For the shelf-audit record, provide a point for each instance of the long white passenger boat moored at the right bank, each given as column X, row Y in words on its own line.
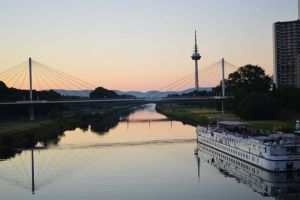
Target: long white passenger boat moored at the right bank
column 273, row 152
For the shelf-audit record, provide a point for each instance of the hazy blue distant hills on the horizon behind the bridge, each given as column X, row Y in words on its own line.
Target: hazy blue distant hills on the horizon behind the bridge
column 154, row 94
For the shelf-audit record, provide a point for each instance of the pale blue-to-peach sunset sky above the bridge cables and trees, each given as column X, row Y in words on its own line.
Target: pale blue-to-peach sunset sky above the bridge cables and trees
column 138, row 44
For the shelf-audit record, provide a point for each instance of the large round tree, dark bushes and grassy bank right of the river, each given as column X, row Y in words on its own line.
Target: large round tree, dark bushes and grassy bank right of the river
column 255, row 99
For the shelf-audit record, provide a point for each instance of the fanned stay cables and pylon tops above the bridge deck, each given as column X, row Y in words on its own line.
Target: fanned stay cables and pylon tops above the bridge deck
column 41, row 77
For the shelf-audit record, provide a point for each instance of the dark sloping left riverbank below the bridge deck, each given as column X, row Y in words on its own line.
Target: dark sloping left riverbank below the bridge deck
column 22, row 133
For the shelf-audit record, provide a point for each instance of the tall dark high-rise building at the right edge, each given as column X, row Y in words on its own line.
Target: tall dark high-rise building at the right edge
column 287, row 52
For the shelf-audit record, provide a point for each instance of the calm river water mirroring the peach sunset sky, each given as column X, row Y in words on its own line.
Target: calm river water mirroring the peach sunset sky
column 143, row 156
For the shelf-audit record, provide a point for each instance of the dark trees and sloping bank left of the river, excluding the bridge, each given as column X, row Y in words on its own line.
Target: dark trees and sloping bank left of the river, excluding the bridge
column 52, row 120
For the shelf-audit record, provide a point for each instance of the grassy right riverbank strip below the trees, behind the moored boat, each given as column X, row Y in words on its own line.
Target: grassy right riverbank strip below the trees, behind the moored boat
column 195, row 115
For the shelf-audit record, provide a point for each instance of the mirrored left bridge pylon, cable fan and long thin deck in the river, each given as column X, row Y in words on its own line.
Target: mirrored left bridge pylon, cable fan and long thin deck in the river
column 37, row 168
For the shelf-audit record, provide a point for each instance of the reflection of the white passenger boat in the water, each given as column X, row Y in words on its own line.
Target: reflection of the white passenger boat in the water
column 269, row 184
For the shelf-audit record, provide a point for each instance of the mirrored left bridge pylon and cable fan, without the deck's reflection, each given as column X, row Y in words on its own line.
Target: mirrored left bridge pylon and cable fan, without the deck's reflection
column 36, row 168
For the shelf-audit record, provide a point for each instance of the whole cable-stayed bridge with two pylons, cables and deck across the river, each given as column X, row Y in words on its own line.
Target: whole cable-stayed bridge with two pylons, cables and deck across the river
column 35, row 76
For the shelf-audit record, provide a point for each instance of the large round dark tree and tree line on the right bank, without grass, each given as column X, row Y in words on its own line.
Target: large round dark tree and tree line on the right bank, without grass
column 254, row 95
